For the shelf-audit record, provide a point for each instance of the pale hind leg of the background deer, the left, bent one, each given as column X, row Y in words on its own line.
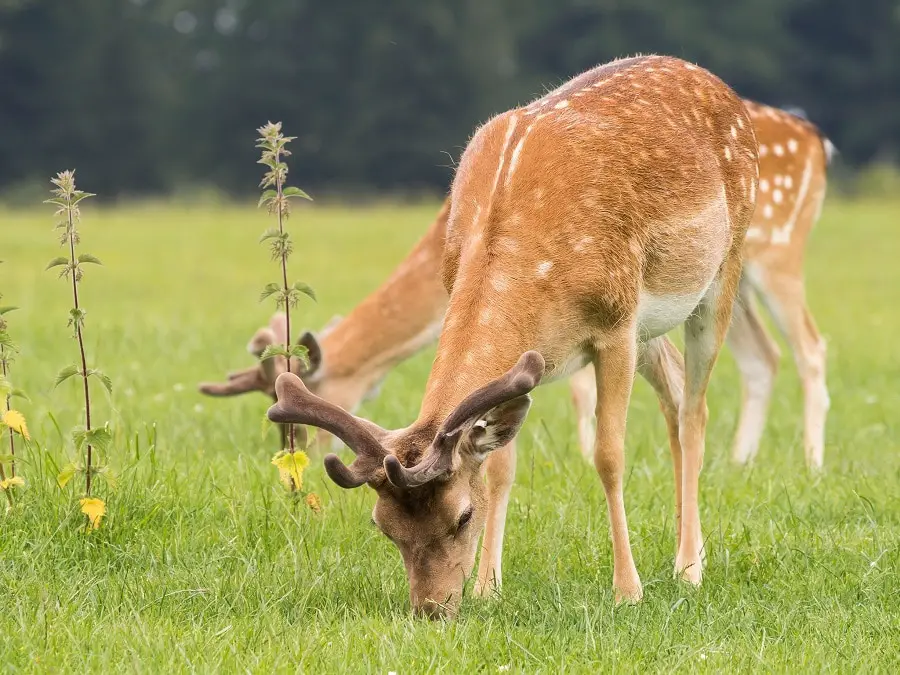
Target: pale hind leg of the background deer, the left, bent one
column 757, row 357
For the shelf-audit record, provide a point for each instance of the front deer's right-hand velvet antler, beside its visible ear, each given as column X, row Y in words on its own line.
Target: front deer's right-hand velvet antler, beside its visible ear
column 438, row 459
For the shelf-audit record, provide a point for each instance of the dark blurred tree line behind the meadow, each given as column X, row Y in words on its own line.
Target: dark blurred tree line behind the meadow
column 144, row 96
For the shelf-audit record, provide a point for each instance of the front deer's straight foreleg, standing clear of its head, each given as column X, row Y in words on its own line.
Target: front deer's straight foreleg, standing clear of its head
column 615, row 368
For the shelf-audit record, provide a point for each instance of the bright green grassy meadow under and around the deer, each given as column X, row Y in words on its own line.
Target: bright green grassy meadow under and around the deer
column 204, row 566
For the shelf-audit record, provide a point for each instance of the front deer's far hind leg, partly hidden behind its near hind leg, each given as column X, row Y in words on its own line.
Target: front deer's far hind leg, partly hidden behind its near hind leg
column 661, row 364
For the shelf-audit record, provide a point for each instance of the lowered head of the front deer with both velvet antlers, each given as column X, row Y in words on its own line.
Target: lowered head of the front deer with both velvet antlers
column 431, row 496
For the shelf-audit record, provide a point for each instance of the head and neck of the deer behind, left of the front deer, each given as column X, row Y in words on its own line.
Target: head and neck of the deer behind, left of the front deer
column 352, row 355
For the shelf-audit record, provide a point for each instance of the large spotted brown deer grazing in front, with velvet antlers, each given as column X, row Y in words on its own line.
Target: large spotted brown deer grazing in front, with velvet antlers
column 583, row 228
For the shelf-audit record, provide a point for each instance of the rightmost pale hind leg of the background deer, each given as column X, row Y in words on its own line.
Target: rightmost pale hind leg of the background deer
column 786, row 299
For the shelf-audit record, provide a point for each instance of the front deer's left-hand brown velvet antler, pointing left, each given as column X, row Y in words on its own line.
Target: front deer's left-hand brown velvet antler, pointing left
column 296, row 405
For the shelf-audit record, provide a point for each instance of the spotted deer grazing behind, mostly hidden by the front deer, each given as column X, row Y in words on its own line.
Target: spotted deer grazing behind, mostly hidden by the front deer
column 404, row 314
